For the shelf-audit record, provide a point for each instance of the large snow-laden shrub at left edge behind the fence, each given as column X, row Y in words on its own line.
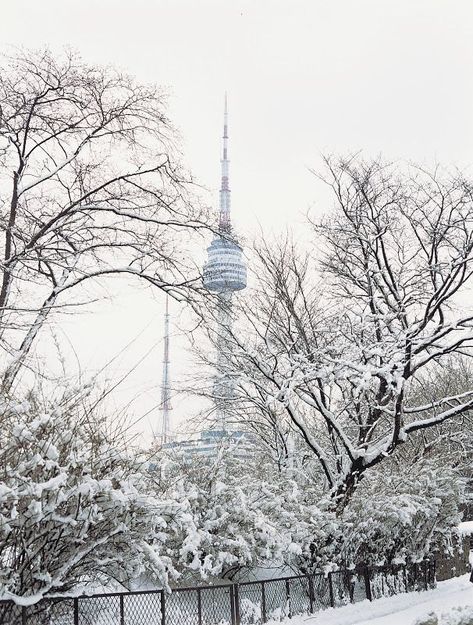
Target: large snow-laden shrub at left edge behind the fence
column 74, row 506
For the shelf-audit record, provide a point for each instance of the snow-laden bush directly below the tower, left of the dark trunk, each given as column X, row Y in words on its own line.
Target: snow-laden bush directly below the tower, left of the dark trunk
column 230, row 517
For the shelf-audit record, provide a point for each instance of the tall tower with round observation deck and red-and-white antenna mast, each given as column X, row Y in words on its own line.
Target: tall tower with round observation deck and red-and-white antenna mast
column 224, row 273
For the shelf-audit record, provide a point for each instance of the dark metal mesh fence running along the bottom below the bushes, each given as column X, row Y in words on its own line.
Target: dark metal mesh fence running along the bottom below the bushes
column 246, row 603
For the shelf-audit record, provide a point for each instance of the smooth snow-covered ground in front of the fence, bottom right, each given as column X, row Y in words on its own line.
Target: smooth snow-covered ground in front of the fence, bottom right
column 402, row 609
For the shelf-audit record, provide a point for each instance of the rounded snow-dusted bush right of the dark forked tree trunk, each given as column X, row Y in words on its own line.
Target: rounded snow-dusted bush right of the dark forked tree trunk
column 403, row 516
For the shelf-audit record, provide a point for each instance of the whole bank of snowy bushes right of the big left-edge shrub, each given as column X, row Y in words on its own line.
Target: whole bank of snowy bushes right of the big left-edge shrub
column 238, row 515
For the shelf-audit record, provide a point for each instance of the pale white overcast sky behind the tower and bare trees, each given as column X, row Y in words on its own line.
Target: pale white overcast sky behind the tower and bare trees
column 304, row 78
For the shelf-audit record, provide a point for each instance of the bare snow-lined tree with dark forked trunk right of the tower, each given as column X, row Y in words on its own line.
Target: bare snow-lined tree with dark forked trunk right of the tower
column 337, row 340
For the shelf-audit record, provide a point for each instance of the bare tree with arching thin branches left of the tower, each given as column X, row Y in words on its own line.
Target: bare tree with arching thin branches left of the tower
column 90, row 185
